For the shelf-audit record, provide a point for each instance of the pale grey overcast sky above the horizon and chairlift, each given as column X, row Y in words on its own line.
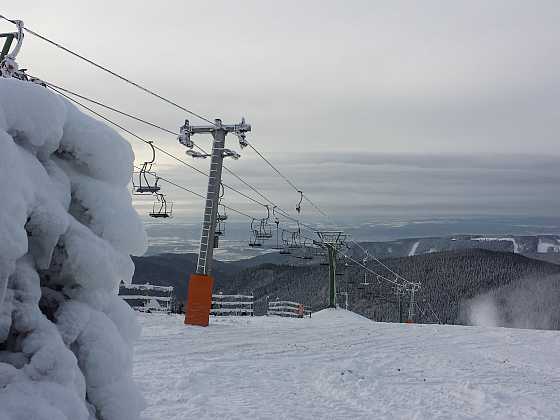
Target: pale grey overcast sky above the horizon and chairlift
column 373, row 108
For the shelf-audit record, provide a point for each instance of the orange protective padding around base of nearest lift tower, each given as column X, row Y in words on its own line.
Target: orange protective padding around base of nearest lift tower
column 199, row 301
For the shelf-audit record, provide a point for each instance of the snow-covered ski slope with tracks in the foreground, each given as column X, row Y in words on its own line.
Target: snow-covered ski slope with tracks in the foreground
column 338, row 365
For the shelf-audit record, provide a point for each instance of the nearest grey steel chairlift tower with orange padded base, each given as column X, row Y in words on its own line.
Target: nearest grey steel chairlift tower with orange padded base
column 201, row 283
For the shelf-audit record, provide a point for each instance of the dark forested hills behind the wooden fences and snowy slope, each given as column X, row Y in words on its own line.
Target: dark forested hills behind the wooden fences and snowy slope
column 450, row 280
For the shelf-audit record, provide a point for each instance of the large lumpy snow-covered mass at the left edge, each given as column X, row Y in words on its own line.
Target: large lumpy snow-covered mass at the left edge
column 67, row 229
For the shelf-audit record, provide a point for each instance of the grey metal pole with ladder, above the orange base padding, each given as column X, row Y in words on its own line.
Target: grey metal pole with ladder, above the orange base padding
column 206, row 252
